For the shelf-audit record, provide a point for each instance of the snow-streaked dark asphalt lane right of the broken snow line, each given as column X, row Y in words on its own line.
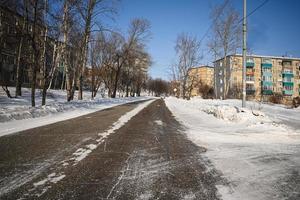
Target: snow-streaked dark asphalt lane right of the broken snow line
column 148, row 158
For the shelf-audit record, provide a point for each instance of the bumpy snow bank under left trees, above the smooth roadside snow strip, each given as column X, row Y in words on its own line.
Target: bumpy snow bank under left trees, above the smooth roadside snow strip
column 19, row 108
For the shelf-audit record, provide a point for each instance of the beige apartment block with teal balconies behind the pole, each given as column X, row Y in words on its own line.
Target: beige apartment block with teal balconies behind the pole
column 265, row 76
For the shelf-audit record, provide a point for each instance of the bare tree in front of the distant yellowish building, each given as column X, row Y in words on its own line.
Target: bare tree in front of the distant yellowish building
column 188, row 55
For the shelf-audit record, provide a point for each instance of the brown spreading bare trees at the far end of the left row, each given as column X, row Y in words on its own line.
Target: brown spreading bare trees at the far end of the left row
column 121, row 62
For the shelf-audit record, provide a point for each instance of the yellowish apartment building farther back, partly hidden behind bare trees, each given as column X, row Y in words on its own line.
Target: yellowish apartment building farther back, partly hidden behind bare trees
column 199, row 76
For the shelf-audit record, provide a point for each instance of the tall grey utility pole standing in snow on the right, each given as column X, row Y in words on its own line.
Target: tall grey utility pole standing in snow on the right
column 244, row 52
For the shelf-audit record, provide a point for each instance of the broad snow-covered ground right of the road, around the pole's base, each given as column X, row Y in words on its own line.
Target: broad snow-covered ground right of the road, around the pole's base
column 256, row 149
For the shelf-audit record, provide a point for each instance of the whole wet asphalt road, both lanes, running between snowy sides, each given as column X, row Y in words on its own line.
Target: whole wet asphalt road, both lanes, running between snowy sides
column 147, row 158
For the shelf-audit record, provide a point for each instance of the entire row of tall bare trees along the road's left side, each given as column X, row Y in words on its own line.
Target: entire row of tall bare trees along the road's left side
column 71, row 34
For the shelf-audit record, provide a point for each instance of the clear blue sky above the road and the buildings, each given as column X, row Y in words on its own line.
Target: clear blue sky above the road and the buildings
column 273, row 30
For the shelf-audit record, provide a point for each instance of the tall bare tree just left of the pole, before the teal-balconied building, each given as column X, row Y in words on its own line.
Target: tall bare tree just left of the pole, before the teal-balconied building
column 226, row 36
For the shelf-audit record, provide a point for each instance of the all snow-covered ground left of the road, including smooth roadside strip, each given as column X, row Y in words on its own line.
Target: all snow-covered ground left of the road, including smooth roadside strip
column 16, row 114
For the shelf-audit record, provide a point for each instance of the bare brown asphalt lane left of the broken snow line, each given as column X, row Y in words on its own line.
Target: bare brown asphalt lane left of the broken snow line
column 29, row 154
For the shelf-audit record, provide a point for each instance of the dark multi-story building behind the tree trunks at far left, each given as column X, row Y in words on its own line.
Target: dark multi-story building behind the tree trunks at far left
column 16, row 50
